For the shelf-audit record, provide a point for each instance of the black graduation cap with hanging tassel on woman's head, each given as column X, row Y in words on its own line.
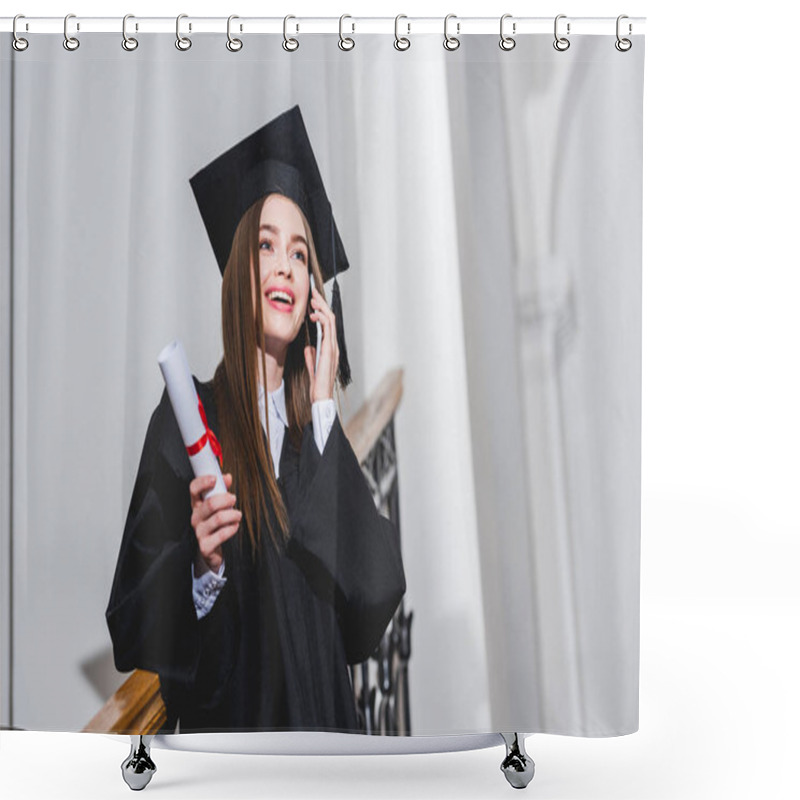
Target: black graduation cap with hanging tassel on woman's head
column 277, row 158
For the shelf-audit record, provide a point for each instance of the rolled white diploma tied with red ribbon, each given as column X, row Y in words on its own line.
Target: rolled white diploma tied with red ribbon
column 183, row 396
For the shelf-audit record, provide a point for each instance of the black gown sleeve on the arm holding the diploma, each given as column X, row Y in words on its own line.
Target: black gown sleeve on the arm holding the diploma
column 151, row 615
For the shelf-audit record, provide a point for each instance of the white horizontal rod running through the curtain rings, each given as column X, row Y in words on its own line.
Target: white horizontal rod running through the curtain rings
column 460, row 26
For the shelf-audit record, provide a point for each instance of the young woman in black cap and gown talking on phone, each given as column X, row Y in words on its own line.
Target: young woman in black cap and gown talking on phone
column 250, row 604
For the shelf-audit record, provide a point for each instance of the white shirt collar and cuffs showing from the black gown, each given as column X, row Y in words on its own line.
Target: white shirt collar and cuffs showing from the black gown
column 207, row 587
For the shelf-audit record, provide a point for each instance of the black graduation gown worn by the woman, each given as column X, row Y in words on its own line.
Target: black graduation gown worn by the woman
column 272, row 653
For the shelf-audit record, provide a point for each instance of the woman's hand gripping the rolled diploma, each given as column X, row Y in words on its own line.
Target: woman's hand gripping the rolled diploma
column 214, row 519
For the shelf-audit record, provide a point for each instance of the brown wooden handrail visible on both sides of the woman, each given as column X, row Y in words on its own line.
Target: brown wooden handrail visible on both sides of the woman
column 137, row 706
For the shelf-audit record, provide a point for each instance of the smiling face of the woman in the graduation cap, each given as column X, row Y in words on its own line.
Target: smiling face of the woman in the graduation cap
column 283, row 255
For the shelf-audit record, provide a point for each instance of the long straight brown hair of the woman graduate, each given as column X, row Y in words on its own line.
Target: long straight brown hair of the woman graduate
column 246, row 451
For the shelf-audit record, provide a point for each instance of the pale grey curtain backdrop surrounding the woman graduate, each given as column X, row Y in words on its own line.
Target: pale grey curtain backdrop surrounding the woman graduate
column 489, row 202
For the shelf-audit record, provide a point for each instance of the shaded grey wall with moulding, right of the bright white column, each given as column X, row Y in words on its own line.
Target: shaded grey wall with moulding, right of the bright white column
column 554, row 165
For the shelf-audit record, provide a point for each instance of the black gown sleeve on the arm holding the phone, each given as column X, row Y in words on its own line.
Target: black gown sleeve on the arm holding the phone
column 347, row 549
